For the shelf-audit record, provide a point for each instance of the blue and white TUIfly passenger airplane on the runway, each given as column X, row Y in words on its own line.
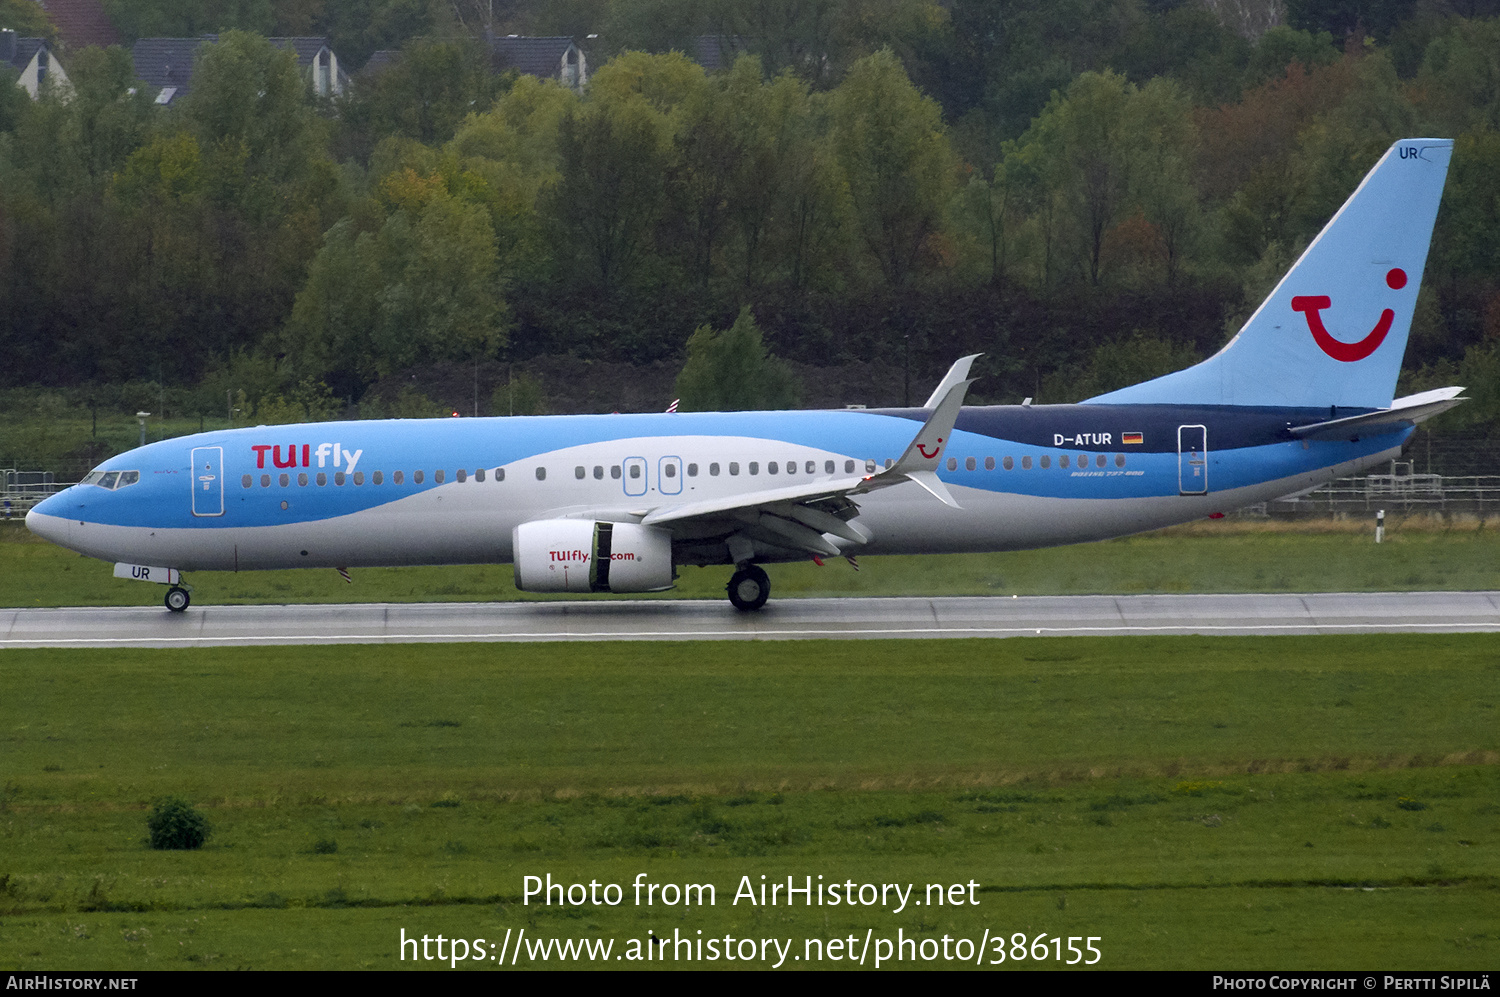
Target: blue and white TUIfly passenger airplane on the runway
column 1303, row 395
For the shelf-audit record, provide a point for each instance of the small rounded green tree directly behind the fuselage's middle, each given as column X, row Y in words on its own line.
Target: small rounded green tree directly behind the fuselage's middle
column 734, row 371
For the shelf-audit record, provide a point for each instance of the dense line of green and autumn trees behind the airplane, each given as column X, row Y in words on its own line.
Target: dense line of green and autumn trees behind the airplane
column 1087, row 206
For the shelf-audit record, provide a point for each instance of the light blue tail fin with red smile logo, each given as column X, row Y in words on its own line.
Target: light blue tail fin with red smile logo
column 1336, row 328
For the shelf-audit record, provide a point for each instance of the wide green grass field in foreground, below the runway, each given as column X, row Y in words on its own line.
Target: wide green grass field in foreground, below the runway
column 1192, row 803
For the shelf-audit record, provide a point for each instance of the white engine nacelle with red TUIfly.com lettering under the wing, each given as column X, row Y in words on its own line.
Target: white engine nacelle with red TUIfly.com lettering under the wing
column 581, row 555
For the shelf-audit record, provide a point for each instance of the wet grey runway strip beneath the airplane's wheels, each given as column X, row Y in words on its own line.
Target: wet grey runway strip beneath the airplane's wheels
column 784, row 620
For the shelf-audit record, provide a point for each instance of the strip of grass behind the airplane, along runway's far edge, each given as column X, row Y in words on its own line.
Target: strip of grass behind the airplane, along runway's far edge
column 1211, row 557
